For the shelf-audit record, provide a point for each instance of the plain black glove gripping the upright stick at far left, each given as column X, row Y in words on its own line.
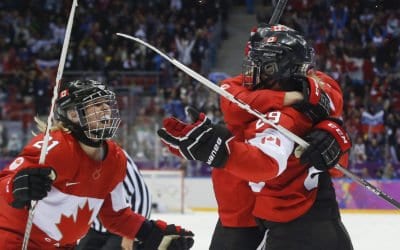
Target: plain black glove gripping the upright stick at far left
column 31, row 184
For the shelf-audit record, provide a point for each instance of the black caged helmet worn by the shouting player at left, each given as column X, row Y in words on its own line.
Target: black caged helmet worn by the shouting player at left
column 96, row 108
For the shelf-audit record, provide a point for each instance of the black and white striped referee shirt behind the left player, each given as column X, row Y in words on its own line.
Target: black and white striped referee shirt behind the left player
column 136, row 193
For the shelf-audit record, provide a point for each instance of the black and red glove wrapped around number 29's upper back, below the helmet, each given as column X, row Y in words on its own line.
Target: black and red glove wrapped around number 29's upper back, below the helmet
column 316, row 104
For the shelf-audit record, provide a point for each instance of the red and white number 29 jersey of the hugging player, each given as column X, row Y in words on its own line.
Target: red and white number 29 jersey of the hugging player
column 278, row 184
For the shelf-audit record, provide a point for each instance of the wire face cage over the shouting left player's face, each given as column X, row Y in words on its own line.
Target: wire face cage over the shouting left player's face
column 99, row 117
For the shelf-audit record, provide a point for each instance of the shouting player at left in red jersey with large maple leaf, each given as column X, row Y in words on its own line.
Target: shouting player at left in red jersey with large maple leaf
column 90, row 169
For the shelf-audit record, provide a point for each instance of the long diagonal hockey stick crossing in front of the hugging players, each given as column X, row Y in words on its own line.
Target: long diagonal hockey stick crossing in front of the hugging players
column 261, row 116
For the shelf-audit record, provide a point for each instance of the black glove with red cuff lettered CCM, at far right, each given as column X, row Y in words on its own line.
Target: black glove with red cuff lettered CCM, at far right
column 328, row 142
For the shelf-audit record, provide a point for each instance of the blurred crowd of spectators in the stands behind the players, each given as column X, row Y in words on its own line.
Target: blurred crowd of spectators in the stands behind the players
column 356, row 42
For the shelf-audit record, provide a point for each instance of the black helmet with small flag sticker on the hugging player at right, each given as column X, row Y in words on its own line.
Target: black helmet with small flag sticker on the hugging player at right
column 276, row 53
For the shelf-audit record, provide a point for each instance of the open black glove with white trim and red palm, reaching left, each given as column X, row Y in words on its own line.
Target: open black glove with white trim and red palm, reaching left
column 200, row 140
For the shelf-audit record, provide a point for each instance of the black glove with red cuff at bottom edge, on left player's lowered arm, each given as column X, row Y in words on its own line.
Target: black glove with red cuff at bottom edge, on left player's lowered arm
column 157, row 235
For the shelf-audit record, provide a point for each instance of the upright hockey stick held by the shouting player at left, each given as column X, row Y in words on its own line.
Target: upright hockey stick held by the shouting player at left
column 43, row 150
